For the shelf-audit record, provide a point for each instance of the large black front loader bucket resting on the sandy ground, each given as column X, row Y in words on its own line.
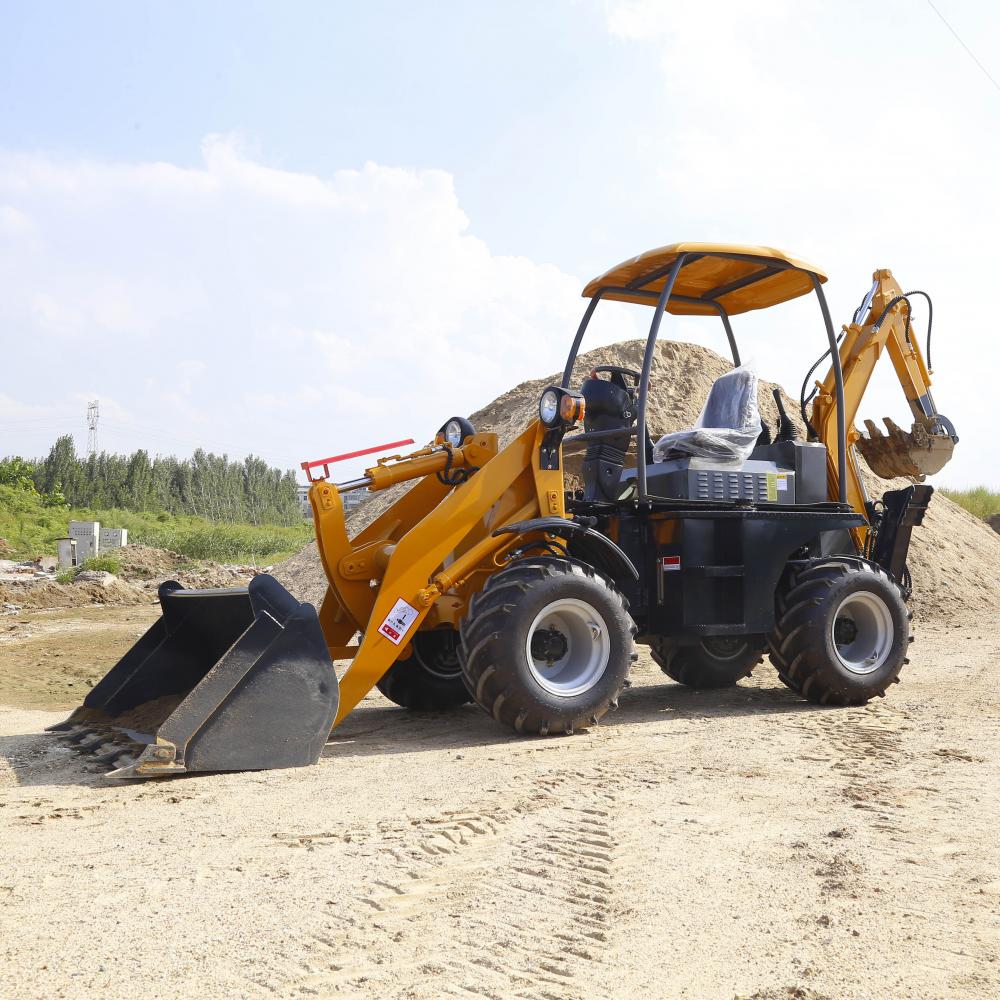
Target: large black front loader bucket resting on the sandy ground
column 226, row 680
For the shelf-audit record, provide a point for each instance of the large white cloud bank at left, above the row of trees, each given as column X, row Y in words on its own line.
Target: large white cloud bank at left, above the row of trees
column 256, row 309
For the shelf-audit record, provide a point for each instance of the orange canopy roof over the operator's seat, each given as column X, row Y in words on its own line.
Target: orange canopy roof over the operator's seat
column 737, row 277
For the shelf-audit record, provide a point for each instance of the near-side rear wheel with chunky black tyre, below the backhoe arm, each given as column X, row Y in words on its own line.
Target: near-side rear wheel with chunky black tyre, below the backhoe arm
column 843, row 633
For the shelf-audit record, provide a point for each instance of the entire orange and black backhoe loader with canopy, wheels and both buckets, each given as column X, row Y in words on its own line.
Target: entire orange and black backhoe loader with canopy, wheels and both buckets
column 490, row 581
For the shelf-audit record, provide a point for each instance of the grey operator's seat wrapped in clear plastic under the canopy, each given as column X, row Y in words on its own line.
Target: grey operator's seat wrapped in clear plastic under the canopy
column 727, row 428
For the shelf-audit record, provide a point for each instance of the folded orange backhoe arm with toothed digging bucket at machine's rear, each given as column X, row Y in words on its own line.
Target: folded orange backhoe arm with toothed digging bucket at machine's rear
column 923, row 451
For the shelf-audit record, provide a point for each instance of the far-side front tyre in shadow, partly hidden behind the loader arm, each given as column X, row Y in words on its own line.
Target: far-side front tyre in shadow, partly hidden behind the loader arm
column 430, row 680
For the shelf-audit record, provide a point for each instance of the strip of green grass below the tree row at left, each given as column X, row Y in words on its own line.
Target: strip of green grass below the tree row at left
column 31, row 529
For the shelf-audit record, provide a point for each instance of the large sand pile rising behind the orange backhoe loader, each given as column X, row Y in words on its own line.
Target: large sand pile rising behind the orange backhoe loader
column 953, row 556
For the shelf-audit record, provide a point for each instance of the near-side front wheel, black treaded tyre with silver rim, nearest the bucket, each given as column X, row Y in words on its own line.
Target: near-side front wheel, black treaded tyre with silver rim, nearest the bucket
column 547, row 646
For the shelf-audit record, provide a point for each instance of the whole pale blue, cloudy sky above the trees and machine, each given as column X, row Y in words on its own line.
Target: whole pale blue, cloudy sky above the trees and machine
column 301, row 228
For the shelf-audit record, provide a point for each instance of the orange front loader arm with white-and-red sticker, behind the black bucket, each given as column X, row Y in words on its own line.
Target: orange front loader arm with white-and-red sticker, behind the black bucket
column 416, row 559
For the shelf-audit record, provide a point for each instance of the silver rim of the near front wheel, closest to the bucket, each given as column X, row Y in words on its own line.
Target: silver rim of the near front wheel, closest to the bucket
column 568, row 647
